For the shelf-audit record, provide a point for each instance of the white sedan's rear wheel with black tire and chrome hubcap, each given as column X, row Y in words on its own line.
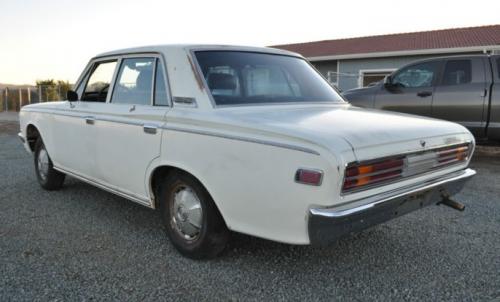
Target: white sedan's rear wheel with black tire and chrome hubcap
column 191, row 219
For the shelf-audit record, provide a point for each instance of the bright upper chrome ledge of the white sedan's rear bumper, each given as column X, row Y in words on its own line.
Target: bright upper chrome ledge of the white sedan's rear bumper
column 400, row 192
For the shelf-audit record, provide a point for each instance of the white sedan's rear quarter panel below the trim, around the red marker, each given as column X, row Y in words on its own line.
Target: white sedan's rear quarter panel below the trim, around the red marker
column 253, row 184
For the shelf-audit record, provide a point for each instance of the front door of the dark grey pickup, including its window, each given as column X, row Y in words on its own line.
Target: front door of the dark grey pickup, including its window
column 411, row 89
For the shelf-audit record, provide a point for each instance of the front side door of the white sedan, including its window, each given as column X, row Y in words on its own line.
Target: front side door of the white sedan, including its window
column 74, row 134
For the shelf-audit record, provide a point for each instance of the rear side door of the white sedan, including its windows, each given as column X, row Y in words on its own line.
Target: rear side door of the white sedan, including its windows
column 128, row 128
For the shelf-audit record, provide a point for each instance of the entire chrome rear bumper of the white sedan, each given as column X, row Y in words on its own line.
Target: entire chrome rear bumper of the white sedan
column 328, row 224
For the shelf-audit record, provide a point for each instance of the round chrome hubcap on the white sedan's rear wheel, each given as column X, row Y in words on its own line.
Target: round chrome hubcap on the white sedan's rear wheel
column 186, row 213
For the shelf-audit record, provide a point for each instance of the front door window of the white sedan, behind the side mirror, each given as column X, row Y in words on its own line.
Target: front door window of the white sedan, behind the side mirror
column 100, row 78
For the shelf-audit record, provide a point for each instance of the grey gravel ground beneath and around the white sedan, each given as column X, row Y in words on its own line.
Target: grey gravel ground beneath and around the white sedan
column 81, row 243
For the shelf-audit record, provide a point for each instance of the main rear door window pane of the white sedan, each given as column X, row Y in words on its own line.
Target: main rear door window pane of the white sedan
column 134, row 82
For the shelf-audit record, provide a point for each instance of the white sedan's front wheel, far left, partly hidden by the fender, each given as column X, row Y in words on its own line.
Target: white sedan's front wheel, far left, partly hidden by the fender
column 47, row 176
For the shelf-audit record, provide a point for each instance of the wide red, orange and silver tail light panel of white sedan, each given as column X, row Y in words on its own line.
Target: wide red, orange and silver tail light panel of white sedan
column 377, row 172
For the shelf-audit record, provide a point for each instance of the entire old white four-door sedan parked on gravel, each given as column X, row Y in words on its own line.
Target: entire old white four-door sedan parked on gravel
column 252, row 140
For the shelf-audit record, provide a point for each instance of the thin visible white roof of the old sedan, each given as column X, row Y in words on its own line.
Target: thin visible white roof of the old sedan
column 172, row 47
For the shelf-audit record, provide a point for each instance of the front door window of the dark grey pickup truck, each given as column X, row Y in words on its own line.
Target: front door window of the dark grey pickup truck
column 418, row 75
